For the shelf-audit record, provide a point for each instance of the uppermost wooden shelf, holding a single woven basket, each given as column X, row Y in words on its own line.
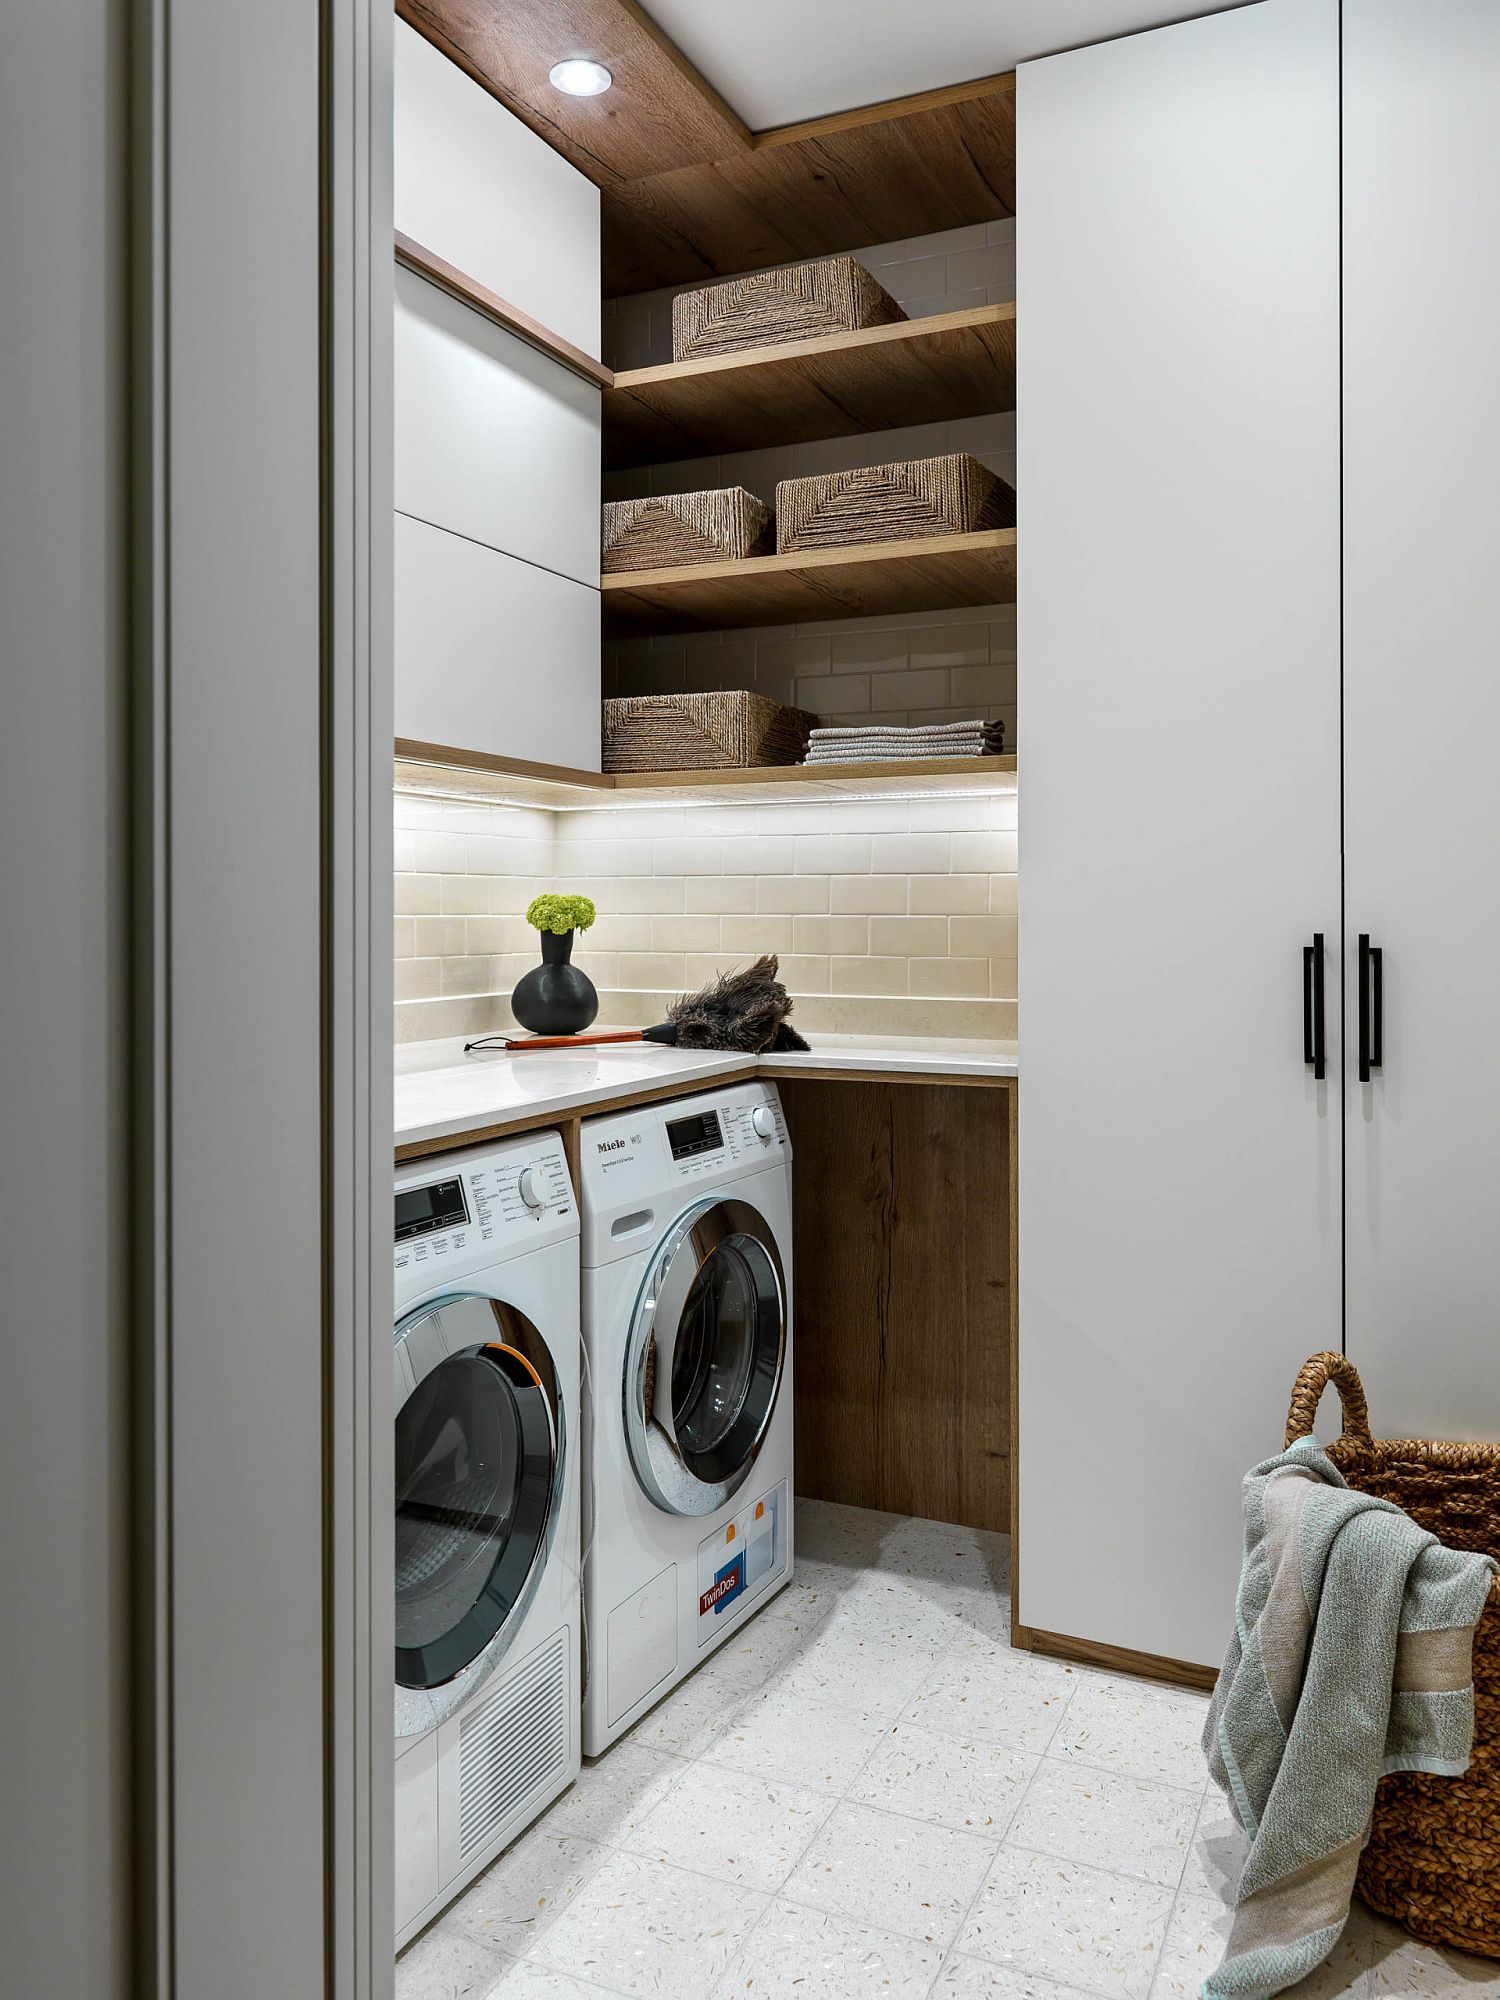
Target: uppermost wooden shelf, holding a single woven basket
column 927, row 371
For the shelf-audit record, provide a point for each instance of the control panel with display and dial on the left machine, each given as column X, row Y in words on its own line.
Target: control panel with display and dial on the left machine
column 479, row 1207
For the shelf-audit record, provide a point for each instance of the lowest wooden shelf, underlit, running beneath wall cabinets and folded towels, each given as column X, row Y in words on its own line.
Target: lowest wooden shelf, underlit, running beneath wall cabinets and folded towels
column 447, row 773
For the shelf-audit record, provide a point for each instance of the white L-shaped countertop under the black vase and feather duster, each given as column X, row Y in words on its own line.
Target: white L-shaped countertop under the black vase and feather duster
column 441, row 1093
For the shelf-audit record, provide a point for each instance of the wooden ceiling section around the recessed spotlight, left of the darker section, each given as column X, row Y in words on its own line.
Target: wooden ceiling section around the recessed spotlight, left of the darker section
column 661, row 115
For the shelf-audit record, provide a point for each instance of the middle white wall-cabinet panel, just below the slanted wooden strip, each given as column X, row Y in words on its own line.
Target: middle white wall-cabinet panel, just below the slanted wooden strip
column 493, row 439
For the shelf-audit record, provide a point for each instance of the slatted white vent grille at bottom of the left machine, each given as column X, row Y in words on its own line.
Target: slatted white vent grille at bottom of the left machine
column 513, row 1745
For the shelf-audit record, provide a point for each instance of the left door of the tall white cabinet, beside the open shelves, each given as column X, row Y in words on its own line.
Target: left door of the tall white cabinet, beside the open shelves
column 1179, row 641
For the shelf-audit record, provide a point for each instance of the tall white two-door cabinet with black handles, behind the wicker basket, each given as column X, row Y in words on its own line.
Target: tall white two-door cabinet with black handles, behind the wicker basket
column 1231, row 749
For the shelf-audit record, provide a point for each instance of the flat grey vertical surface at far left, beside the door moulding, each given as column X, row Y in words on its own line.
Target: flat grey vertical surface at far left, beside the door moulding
column 65, row 1173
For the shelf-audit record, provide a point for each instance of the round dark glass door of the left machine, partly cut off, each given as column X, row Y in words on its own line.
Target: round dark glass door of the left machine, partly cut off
column 479, row 1453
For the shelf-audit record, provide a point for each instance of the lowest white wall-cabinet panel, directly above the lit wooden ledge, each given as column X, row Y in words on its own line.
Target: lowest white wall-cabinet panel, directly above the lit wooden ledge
column 493, row 653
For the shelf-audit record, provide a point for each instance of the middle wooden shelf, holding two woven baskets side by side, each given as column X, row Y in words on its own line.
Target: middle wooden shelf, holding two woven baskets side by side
column 933, row 575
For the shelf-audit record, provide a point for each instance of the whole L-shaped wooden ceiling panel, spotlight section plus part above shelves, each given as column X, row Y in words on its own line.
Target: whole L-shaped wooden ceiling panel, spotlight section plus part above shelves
column 693, row 195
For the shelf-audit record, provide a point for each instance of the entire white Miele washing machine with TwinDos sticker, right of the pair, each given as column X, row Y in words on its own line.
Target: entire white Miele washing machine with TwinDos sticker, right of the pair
column 689, row 1339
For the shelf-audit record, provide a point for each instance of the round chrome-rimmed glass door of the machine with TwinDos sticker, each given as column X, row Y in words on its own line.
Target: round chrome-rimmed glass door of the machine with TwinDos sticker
column 705, row 1357
